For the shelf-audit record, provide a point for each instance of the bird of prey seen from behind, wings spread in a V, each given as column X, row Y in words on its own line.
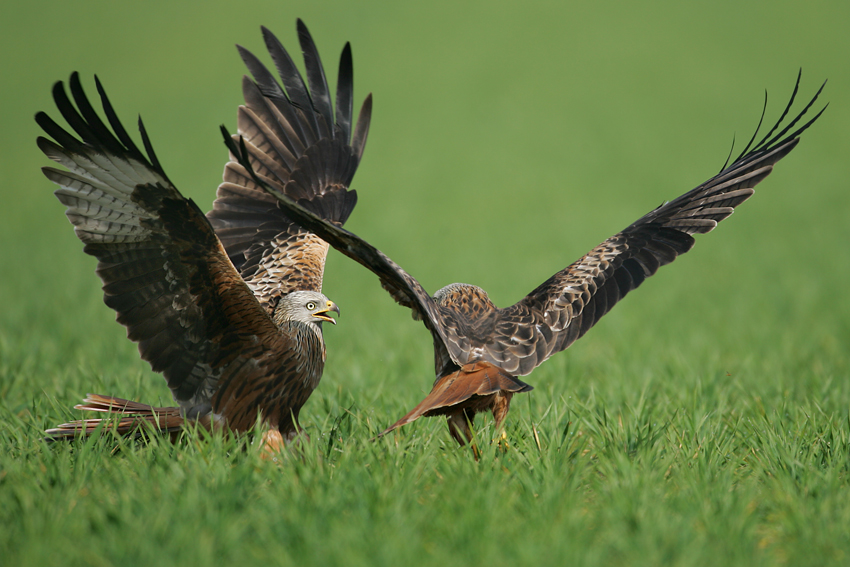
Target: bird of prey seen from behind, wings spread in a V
column 480, row 350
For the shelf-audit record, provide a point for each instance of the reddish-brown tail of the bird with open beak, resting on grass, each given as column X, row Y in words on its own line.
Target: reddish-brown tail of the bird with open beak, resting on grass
column 136, row 416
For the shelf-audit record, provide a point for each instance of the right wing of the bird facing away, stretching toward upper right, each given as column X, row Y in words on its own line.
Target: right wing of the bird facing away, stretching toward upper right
column 567, row 305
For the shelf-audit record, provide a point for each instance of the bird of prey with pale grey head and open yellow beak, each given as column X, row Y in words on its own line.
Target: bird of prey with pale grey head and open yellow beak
column 227, row 306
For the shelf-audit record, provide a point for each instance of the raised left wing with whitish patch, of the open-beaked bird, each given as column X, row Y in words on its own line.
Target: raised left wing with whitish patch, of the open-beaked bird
column 163, row 269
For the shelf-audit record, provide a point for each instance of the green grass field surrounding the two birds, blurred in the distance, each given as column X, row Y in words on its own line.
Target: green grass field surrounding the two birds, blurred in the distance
column 705, row 421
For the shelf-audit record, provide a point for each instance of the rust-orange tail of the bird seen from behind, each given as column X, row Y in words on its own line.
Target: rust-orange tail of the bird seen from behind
column 471, row 389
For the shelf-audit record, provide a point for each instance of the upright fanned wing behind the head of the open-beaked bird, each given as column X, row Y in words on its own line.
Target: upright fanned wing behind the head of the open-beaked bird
column 298, row 146
